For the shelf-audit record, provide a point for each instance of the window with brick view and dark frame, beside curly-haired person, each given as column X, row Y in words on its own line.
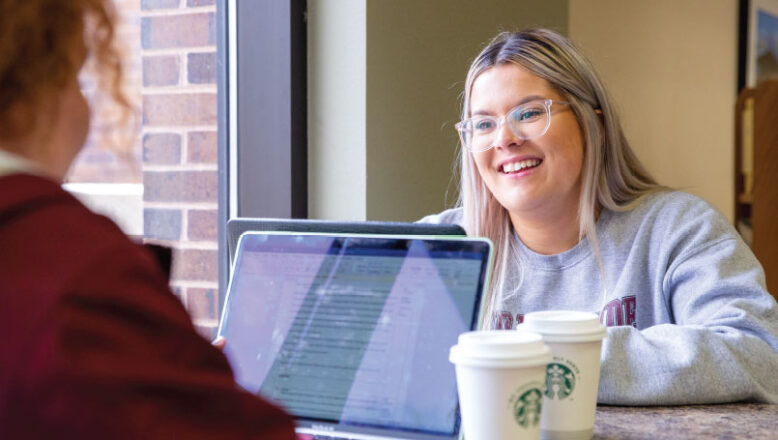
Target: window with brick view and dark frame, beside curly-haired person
column 216, row 138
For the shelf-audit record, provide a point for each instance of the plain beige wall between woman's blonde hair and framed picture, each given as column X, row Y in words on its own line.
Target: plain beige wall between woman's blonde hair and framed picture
column 672, row 68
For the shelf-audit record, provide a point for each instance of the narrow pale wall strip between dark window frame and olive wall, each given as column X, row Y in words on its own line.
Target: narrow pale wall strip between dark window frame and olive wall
column 336, row 109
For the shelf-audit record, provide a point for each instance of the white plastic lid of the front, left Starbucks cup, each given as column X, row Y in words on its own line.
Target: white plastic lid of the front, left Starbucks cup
column 500, row 348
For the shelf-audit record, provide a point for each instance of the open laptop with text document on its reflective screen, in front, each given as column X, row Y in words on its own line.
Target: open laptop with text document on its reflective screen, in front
column 350, row 333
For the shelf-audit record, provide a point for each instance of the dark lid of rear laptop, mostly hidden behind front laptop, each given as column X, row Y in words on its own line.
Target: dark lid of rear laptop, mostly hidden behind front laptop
column 237, row 226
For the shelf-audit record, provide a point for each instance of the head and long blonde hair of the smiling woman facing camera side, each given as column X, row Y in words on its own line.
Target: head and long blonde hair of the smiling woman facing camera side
column 543, row 65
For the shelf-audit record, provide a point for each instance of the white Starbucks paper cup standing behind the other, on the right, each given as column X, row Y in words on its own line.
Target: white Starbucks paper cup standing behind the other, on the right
column 573, row 376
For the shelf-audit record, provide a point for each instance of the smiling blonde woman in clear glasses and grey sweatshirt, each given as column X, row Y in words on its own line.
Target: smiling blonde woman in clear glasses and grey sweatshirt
column 578, row 223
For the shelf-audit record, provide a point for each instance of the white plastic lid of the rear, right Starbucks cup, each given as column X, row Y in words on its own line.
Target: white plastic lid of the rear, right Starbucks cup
column 572, row 326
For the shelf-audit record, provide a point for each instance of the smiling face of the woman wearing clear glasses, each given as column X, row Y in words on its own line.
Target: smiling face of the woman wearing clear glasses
column 540, row 175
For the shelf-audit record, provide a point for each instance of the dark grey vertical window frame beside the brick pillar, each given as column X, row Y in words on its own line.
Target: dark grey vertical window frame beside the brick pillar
column 262, row 108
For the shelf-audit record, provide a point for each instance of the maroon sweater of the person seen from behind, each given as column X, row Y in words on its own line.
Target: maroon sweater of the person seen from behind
column 92, row 342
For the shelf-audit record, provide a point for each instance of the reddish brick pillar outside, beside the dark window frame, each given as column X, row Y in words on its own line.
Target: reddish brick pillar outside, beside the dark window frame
column 178, row 141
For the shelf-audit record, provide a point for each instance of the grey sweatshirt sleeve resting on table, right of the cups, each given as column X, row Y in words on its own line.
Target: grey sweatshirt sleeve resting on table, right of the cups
column 721, row 344
